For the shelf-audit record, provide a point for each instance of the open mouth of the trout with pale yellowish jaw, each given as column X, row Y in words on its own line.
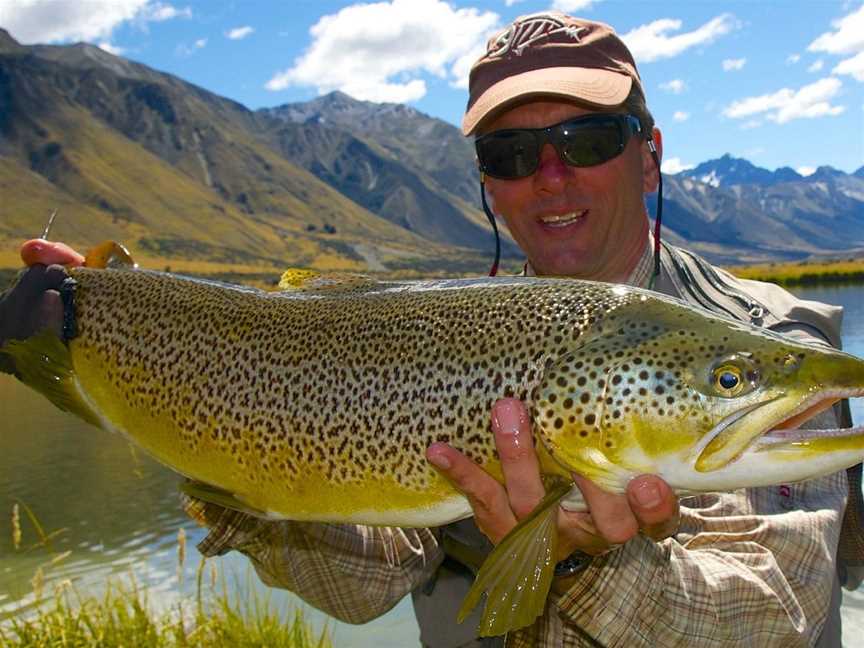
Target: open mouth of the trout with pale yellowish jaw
column 733, row 436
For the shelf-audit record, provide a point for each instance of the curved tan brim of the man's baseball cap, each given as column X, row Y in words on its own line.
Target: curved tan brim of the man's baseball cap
column 590, row 85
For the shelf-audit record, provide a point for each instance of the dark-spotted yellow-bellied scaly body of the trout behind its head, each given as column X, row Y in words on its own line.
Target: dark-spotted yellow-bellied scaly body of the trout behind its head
column 317, row 405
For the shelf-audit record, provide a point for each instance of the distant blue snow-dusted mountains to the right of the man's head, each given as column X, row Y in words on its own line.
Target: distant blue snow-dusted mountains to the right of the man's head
column 733, row 211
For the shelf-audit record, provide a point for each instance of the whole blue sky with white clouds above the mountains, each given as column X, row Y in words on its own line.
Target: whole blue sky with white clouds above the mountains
column 780, row 83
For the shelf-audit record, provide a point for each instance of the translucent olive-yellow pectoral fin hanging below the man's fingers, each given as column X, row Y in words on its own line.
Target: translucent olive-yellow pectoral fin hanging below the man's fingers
column 517, row 575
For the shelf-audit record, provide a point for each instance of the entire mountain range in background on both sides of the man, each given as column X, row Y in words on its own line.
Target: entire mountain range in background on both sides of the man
column 200, row 183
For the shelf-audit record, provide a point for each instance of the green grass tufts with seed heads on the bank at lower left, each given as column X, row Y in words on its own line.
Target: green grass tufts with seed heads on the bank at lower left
column 123, row 617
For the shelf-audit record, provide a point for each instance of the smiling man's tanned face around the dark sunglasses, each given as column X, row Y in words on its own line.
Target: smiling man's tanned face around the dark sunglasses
column 586, row 222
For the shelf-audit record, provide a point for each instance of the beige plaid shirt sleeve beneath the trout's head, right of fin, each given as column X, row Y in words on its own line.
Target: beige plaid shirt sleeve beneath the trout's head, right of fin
column 753, row 567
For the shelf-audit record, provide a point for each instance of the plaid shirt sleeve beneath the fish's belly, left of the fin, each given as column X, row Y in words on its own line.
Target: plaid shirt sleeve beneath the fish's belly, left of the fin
column 352, row 572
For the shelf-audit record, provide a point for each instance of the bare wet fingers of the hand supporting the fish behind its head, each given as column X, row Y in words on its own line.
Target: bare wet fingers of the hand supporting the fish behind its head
column 649, row 505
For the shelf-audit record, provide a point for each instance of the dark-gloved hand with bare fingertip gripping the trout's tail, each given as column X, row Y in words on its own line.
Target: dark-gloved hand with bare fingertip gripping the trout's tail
column 33, row 303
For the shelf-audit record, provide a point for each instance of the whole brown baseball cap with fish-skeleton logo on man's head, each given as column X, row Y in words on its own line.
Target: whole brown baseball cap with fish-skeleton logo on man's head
column 545, row 54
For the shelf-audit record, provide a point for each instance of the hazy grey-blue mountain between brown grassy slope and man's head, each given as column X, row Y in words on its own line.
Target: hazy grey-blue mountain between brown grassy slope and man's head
column 415, row 171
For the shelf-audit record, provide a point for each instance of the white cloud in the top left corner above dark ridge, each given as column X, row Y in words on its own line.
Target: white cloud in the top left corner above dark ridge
column 52, row 21
